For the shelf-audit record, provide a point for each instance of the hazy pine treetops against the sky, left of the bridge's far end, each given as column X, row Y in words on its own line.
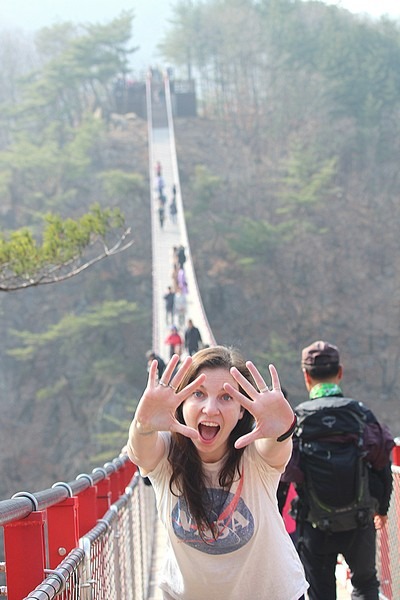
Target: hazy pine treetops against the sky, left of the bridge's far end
column 82, row 62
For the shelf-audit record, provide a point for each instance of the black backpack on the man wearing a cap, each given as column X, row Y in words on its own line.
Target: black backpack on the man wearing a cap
column 335, row 493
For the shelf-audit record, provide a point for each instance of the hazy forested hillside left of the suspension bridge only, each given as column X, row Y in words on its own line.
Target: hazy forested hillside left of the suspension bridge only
column 73, row 353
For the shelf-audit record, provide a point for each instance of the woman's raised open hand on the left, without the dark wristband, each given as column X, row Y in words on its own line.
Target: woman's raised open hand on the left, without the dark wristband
column 158, row 404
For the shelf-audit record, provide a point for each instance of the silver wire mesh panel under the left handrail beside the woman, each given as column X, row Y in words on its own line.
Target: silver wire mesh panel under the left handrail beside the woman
column 114, row 558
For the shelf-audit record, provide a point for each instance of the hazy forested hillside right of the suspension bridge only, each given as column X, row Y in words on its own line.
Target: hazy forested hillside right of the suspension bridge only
column 291, row 184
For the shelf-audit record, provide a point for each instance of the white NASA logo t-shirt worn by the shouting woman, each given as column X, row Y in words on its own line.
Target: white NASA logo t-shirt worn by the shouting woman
column 253, row 557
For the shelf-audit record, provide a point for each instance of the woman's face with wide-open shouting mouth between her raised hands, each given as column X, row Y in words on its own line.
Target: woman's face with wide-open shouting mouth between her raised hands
column 213, row 412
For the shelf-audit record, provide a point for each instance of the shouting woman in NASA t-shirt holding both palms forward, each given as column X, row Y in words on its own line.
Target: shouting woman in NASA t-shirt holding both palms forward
column 213, row 439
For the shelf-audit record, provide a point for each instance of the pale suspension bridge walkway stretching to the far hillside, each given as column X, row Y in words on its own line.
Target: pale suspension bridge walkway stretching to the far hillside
column 162, row 149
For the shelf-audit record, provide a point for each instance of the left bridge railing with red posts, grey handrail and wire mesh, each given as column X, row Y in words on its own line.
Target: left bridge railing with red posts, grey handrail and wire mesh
column 91, row 538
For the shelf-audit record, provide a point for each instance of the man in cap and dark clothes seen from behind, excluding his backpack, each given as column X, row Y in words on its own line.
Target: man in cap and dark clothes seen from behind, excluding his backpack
column 318, row 549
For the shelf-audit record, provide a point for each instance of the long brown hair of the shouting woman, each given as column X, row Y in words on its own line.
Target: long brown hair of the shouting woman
column 188, row 476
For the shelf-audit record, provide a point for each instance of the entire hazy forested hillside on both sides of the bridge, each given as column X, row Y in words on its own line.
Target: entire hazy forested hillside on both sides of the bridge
column 290, row 183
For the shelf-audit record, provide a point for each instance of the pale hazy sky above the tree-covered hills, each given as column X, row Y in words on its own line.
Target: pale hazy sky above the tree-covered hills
column 151, row 17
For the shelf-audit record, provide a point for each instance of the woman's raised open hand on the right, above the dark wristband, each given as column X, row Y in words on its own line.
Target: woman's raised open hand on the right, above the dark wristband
column 272, row 413
